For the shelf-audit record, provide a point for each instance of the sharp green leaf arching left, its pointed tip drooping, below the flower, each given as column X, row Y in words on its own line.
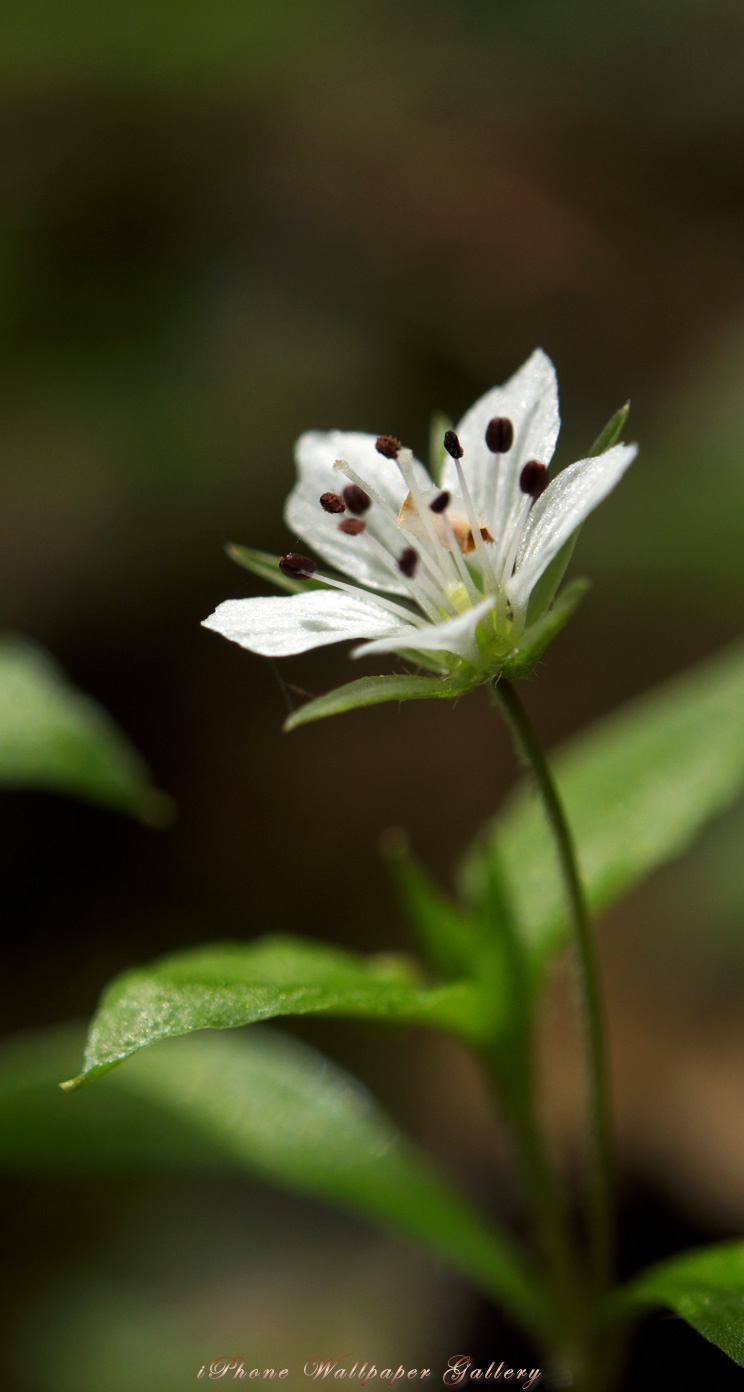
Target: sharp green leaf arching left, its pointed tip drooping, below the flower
column 231, row 985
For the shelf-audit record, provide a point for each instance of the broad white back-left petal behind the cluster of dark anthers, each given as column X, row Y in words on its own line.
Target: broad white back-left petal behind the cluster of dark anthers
column 357, row 556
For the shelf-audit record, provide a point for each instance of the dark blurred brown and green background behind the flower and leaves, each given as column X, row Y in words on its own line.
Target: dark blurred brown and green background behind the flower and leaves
column 221, row 226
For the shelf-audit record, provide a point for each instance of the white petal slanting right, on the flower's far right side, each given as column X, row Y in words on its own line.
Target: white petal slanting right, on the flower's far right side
column 561, row 510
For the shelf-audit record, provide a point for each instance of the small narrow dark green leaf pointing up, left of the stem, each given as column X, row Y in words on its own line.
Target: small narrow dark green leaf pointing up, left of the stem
column 448, row 935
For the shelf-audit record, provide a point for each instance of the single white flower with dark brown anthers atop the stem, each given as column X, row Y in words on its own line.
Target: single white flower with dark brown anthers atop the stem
column 442, row 573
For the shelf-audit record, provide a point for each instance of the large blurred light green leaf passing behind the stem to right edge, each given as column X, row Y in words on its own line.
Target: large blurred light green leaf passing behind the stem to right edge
column 637, row 790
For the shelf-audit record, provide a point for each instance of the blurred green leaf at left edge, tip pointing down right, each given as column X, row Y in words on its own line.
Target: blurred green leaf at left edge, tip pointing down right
column 56, row 738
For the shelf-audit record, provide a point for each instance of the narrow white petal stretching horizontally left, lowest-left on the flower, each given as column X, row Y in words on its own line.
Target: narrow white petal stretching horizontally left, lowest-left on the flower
column 279, row 626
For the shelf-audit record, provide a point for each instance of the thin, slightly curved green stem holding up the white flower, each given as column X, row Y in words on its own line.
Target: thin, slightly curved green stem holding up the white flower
column 600, row 1217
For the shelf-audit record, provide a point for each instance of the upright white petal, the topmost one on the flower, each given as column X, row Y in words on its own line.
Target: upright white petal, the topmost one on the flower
column 530, row 402
